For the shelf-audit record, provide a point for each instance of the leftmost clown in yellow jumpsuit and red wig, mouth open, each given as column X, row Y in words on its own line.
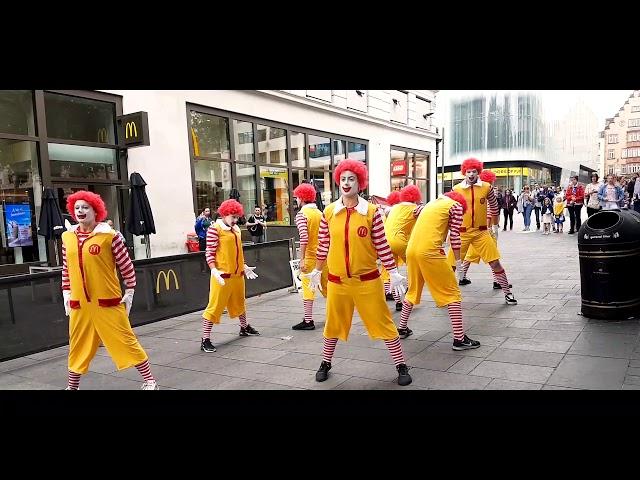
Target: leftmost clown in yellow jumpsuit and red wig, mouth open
column 93, row 300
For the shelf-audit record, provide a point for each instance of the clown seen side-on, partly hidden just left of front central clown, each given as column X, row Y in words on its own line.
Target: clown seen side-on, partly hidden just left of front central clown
column 308, row 223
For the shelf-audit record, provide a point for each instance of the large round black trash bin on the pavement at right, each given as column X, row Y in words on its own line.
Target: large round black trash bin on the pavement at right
column 609, row 247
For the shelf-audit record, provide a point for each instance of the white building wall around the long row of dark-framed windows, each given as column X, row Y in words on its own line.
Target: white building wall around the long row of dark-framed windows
column 165, row 164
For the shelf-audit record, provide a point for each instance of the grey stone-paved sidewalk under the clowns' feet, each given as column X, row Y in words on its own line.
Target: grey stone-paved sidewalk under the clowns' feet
column 542, row 343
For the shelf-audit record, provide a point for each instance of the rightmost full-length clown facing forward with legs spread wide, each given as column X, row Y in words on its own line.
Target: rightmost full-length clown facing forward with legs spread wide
column 474, row 224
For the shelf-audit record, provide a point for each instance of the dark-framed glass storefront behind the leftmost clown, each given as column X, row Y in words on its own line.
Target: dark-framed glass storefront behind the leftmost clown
column 67, row 140
